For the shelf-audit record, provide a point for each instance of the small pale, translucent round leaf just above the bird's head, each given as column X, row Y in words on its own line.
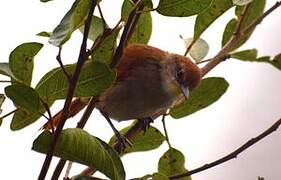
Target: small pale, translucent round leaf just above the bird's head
column 199, row 50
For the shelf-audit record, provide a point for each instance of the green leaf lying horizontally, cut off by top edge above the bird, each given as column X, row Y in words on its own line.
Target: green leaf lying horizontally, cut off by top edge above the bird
column 182, row 8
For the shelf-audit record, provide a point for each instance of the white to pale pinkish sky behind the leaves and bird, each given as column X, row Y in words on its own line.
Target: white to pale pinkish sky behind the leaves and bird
column 251, row 104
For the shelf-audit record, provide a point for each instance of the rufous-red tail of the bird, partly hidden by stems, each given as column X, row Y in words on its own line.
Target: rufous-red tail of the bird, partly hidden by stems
column 75, row 107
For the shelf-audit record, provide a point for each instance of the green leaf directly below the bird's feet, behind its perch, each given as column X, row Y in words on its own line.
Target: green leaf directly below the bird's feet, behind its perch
column 149, row 140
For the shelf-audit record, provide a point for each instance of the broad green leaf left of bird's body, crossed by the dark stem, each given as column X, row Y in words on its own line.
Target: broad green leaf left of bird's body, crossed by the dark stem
column 94, row 79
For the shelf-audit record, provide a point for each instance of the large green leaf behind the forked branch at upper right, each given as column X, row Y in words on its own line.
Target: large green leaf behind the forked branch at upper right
column 254, row 11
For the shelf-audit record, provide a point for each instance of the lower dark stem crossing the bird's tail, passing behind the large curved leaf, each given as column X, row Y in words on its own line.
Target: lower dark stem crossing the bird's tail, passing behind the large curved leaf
column 80, row 124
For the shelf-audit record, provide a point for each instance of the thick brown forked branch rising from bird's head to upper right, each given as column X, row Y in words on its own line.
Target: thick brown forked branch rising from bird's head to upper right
column 237, row 36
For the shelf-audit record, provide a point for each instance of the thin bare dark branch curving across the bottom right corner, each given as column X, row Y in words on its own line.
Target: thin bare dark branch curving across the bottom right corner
column 234, row 154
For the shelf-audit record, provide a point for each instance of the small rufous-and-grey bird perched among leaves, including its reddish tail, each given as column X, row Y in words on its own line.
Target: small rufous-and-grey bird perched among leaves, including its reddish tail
column 149, row 82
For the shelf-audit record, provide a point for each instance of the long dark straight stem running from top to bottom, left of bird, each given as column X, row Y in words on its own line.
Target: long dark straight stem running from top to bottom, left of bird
column 72, row 86
